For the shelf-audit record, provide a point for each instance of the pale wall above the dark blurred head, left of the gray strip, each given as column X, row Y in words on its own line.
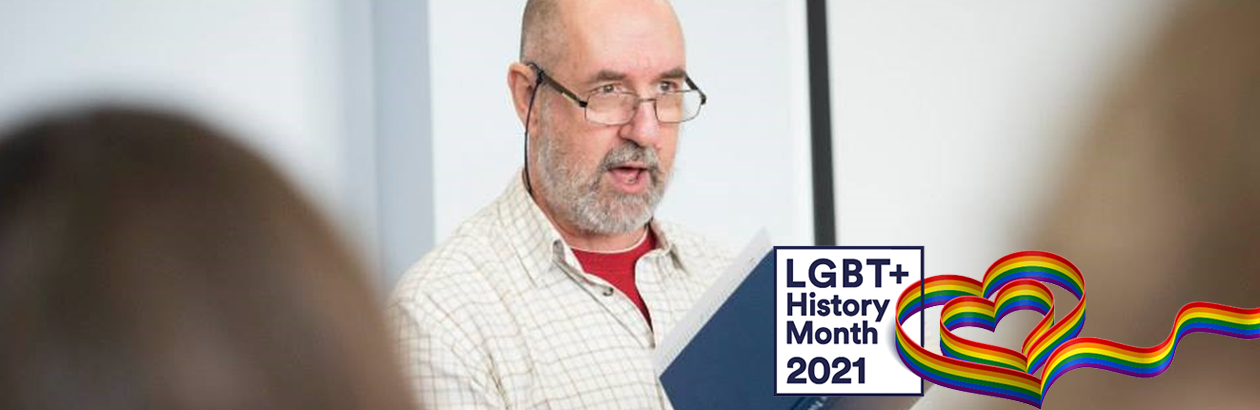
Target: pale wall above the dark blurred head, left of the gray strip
column 279, row 75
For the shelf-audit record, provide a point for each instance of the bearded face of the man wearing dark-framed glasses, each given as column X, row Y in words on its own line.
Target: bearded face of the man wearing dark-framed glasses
column 609, row 179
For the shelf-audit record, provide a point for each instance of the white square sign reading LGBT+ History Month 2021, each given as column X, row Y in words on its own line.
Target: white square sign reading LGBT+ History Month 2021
column 885, row 374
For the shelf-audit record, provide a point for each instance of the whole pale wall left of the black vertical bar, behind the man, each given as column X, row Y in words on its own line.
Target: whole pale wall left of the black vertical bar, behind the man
column 314, row 88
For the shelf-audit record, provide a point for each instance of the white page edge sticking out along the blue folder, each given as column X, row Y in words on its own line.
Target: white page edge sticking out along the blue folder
column 711, row 301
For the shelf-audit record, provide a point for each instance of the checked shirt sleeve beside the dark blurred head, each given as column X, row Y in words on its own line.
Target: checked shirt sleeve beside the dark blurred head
column 443, row 365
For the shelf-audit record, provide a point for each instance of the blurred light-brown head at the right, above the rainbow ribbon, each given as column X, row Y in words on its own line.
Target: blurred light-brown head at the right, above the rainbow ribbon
column 1165, row 190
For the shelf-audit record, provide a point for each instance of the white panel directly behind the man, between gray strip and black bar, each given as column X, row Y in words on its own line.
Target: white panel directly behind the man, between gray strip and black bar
column 742, row 166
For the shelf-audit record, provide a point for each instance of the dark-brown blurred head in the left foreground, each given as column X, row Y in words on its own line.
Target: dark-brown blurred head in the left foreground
column 148, row 263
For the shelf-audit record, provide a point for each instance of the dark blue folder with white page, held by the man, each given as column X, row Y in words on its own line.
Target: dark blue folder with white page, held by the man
column 723, row 355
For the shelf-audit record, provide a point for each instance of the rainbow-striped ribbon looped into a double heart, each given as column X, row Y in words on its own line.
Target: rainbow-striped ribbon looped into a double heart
column 1053, row 349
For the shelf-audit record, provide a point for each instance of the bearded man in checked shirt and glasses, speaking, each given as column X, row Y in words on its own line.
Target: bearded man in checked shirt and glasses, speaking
column 555, row 296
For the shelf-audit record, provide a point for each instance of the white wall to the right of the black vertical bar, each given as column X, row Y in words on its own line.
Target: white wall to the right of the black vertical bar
column 952, row 119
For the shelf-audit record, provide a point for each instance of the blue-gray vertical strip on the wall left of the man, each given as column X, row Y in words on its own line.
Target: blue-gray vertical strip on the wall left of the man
column 404, row 134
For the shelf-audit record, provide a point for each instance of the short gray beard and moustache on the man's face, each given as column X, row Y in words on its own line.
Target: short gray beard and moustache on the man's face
column 583, row 201
